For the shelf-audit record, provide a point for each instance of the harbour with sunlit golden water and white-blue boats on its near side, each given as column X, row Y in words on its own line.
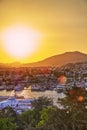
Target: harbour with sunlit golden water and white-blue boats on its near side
column 21, row 100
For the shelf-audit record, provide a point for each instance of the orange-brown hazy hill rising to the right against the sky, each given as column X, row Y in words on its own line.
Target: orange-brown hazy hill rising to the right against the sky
column 62, row 59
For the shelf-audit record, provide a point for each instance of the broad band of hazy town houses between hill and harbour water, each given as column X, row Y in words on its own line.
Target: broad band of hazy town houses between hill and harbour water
column 44, row 78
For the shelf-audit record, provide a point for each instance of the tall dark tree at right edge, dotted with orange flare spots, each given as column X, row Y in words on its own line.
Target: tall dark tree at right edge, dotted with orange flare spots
column 75, row 104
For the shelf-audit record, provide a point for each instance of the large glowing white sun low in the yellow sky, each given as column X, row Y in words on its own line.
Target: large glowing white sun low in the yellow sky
column 20, row 41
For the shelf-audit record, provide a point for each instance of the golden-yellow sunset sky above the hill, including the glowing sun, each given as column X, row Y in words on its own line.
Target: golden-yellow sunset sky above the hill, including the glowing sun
column 59, row 26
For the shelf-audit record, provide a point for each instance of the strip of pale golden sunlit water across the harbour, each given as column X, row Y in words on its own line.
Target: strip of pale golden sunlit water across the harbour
column 27, row 93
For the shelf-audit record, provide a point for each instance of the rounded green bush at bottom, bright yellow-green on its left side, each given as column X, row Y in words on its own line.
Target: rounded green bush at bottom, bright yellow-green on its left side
column 54, row 119
